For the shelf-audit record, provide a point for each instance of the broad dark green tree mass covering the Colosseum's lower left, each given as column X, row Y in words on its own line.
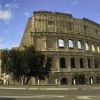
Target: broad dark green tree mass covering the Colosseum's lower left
column 27, row 63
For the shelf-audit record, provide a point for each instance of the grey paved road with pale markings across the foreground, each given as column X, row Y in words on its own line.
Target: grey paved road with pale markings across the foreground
column 26, row 94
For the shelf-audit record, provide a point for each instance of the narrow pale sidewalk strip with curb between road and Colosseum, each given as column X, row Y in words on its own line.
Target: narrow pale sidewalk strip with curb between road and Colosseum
column 77, row 87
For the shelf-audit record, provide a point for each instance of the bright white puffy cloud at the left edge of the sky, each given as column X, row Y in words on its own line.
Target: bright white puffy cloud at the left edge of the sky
column 5, row 15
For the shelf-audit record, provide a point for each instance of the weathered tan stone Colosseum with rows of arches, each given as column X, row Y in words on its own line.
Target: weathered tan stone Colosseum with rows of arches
column 73, row 44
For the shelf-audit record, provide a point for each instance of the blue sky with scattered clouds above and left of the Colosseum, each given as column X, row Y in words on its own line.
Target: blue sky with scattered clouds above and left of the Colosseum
column 14, row 15
